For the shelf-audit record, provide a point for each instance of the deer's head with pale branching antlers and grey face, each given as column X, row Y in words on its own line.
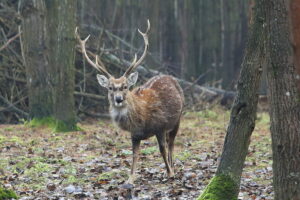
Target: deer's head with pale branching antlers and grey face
column 117, row 87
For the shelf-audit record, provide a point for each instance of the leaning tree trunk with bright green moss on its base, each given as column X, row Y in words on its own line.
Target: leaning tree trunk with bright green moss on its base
column 225, row 184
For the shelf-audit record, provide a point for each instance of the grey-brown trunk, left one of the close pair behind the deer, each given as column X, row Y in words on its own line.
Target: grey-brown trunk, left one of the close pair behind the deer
column 35, row 52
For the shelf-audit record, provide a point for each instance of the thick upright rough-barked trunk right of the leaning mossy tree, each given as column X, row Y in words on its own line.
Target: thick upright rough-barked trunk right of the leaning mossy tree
column 284, row 96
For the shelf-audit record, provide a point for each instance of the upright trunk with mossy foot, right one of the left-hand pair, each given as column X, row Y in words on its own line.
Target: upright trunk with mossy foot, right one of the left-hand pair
column 61, row 26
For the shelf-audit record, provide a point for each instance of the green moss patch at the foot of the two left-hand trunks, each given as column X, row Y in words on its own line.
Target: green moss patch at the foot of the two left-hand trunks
column 54, row 124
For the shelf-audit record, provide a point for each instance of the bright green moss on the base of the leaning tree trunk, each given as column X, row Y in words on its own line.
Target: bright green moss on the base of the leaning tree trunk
column 221, row 187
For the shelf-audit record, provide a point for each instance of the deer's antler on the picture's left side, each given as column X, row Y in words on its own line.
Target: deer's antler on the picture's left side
column 96, row 65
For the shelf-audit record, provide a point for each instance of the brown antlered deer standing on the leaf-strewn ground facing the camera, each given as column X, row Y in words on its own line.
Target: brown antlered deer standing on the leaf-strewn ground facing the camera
column 153, row 109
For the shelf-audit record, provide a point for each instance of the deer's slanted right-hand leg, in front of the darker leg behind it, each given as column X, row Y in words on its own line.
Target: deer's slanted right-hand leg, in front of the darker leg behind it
column 162, row 143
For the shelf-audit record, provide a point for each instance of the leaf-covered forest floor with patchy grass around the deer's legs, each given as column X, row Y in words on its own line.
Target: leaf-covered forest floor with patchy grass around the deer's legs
column 94, row 163
